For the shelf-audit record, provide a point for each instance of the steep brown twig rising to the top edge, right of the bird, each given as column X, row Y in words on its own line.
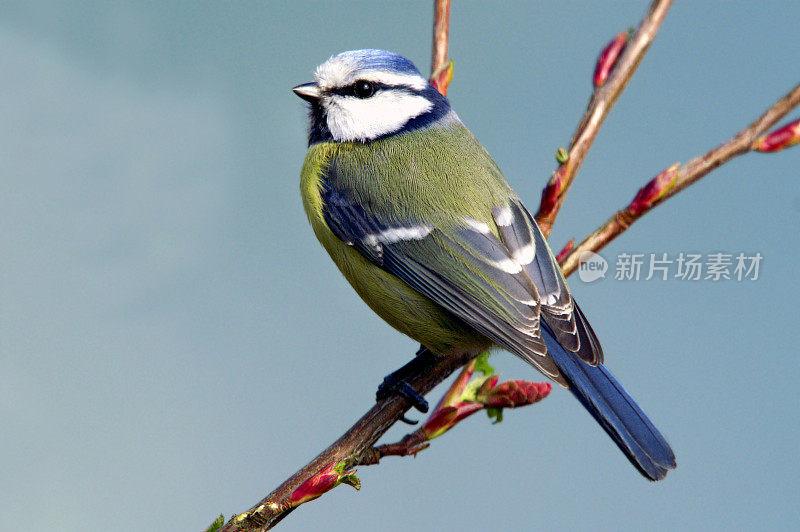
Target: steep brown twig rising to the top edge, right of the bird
column 602, row 101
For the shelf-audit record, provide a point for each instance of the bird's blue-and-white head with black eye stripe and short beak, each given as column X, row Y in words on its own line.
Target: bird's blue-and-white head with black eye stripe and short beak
column 365, row 95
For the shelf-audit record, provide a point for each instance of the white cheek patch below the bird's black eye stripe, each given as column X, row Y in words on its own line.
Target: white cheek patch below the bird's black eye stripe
column 350, row 118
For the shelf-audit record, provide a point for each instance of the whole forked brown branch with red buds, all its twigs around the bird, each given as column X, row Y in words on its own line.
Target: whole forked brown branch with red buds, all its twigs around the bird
column 333, row 465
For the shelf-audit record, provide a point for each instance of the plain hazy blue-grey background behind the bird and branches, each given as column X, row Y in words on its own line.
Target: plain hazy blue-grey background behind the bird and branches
column 174, row 343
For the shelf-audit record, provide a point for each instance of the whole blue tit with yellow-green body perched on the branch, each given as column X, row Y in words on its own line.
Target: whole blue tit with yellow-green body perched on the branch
column 421, row 222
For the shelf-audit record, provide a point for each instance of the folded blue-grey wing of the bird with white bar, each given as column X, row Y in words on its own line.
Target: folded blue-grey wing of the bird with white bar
column 470, row 272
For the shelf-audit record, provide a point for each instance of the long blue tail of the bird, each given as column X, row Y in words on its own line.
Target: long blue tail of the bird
column 615, row 410
